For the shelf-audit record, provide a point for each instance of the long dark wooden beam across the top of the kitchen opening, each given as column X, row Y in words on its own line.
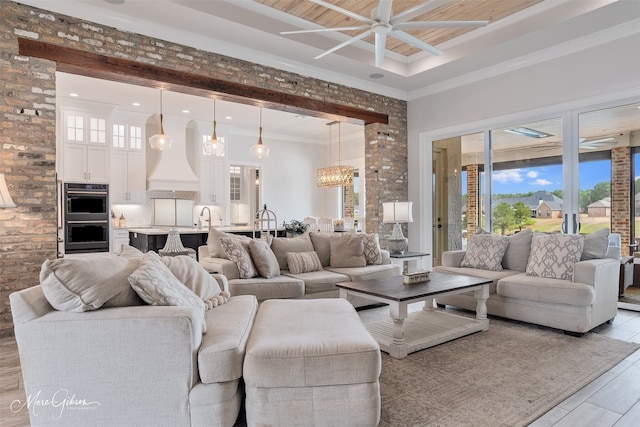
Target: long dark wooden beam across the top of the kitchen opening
column 90, row 64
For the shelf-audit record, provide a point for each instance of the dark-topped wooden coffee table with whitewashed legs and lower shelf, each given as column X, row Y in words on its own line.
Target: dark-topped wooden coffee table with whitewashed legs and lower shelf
column 406, row 333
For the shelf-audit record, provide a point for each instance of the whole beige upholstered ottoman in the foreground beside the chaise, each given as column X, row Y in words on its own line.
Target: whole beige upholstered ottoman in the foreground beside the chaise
column 311, row 363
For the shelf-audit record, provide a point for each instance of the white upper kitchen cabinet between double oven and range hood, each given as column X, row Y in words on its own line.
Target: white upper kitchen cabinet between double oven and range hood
column 128, row 176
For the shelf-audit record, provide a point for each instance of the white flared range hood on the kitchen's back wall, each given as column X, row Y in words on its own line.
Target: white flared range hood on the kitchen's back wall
column 170, row 169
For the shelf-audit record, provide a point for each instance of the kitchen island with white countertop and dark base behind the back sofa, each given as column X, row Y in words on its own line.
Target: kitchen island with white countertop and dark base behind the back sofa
column 148, row 239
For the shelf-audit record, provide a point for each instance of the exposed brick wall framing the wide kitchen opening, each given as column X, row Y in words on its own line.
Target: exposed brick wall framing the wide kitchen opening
column 28, row 232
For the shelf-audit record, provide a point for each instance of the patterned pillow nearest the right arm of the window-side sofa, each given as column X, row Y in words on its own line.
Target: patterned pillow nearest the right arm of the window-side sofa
column 554, row 256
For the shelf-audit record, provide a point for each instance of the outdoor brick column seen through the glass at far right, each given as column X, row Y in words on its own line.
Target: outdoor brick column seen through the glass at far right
column 621, row 179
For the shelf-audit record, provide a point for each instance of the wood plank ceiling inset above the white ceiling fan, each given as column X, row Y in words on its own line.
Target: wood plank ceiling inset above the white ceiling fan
column 456, row 10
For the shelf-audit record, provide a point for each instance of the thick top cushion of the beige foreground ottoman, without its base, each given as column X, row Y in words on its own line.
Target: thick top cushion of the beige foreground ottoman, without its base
column 305, row 343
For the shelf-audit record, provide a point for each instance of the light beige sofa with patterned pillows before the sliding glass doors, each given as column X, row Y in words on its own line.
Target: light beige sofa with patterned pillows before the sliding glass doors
column 560, row 281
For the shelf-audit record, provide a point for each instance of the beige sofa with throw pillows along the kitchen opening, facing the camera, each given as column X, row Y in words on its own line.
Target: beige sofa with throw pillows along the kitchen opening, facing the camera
column 307, row 266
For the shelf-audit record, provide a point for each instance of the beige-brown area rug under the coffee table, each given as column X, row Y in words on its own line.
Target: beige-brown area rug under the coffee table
column 506, row 376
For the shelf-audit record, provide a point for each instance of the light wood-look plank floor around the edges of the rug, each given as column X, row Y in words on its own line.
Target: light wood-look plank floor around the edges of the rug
column 611, row 400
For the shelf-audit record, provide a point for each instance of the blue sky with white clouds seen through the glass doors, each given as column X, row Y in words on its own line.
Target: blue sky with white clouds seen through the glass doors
column 525, row 180
